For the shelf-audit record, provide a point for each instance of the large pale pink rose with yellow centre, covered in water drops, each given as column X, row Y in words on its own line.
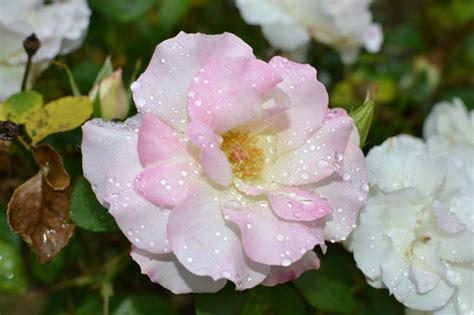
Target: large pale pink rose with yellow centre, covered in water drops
column 234, row 168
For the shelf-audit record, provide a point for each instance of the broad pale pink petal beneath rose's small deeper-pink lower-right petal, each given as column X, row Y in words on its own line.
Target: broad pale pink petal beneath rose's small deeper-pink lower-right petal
column 268, row 239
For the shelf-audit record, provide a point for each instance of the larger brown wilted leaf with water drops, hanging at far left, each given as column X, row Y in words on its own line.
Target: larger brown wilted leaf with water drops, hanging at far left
column 39, row 214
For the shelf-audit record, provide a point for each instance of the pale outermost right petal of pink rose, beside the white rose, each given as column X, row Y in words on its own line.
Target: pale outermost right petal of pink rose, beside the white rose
column 346, row 195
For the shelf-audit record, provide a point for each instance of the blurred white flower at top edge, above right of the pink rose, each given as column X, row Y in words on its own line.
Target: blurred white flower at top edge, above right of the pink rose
column 289, row 24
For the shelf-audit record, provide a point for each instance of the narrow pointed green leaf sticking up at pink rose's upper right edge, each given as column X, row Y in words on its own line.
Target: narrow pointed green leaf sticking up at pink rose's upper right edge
column 364, row 114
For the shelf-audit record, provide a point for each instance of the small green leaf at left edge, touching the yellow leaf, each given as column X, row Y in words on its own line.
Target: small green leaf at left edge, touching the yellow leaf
column 20, row 106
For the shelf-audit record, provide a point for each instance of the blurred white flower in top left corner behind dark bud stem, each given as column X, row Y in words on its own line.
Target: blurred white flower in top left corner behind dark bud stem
column 60, row 26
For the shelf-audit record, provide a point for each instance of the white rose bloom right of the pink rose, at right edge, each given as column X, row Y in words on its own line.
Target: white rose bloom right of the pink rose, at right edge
column 416, row 234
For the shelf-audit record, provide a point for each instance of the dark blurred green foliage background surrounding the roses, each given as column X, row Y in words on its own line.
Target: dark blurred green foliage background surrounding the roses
column 427, row 56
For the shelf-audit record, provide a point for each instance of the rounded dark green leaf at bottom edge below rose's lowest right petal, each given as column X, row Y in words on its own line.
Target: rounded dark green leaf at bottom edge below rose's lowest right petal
column 282, row 299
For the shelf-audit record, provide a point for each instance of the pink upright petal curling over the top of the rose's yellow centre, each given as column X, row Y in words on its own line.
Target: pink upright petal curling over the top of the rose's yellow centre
column 227, row 92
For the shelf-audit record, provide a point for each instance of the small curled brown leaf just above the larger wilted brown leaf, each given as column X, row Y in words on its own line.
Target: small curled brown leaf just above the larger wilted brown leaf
column 51, row 164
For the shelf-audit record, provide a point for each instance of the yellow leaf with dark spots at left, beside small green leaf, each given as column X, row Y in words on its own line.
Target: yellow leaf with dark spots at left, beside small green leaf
column 60, row 115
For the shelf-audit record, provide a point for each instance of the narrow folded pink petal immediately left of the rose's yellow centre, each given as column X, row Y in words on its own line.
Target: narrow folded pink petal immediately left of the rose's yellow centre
column 212, row 159
